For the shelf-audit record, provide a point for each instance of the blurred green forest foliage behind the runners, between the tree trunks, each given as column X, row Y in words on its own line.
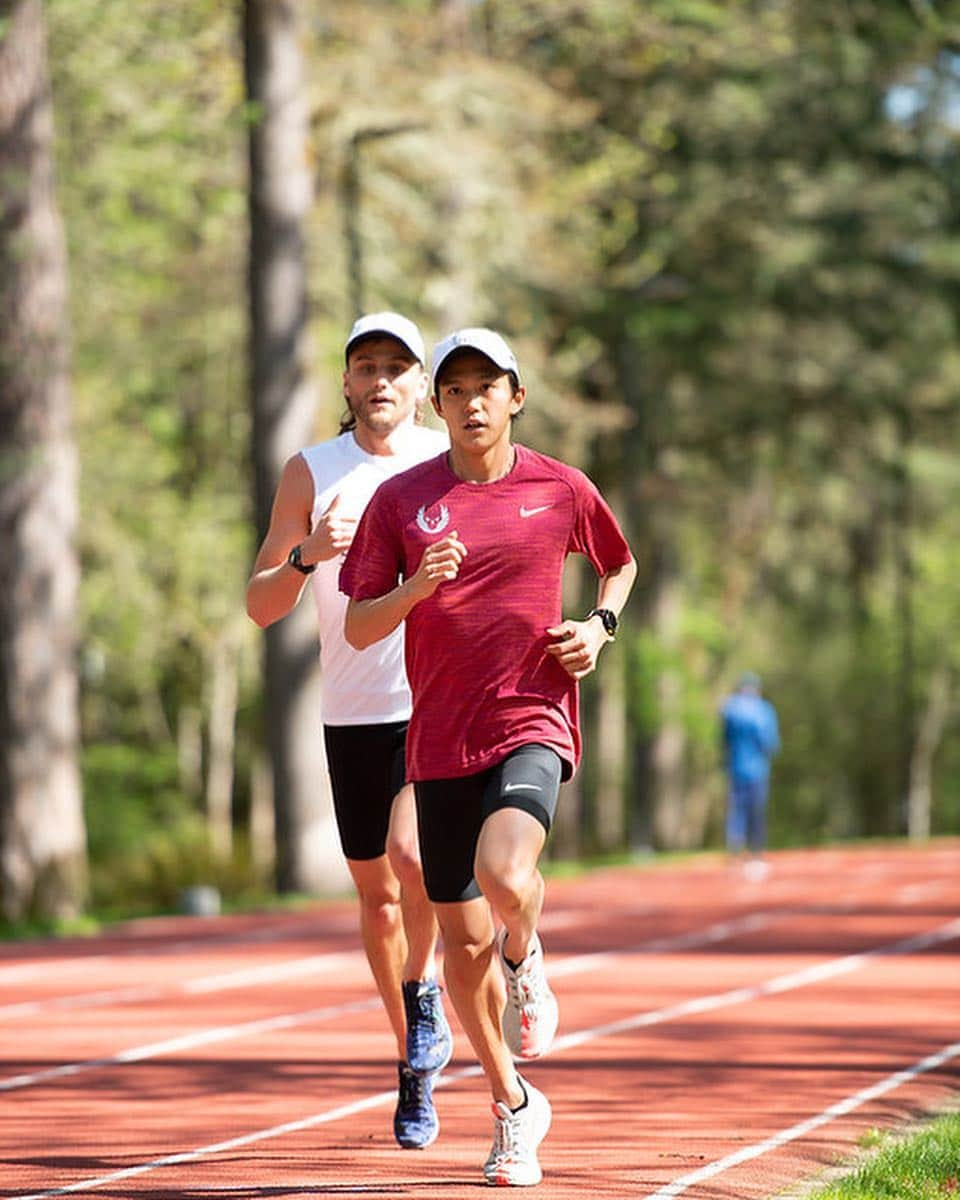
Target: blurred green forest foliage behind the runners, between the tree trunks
column 724, row 239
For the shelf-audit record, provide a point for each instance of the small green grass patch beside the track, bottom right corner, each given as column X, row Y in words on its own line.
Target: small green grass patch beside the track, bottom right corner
column 923, row 1166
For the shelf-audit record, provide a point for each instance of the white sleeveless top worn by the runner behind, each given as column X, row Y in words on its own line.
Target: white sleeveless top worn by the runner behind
column 359, row 687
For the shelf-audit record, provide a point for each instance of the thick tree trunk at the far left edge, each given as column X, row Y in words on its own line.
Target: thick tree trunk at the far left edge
column 43, row 836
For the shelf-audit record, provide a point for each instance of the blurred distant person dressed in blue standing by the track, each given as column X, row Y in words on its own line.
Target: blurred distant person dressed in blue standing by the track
column 752, row 737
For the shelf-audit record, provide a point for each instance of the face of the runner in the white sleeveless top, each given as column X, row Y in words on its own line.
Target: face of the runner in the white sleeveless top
column 383, row 385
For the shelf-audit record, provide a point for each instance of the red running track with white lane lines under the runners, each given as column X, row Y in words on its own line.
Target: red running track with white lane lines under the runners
column 719, row 1039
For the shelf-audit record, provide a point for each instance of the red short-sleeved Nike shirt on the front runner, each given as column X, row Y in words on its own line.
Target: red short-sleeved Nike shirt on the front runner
column 482, row 681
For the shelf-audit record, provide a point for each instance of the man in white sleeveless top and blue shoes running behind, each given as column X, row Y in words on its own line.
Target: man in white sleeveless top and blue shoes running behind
column 367, row 701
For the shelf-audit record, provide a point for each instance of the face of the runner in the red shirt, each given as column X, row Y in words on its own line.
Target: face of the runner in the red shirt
column 477, row 400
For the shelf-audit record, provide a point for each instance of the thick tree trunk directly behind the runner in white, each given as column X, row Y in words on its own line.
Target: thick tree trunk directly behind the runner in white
column 281, row 194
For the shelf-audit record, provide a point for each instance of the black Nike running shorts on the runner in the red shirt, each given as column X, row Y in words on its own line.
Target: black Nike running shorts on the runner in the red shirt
column 452, row 812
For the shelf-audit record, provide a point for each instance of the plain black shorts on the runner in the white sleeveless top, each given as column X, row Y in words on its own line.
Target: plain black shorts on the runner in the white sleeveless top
column 367, row 769
